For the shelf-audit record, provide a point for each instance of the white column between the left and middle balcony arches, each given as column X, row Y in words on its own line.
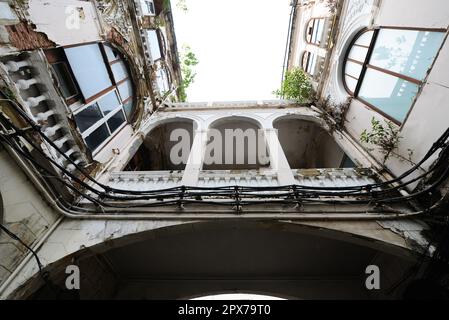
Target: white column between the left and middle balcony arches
column 196, row 158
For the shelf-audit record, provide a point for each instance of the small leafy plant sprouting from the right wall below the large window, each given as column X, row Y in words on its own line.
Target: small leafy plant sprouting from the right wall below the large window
column 385, row 137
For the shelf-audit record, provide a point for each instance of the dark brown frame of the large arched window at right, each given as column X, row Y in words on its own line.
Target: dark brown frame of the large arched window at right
column 366, row 65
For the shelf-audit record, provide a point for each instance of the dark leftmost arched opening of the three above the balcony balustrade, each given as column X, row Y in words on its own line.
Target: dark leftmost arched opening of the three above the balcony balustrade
column 158, row 152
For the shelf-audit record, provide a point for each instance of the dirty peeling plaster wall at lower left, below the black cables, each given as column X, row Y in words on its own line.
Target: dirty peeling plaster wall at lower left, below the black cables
column 25, row 214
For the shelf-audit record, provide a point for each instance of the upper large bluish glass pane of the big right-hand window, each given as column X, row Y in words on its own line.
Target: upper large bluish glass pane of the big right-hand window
column 408, row 52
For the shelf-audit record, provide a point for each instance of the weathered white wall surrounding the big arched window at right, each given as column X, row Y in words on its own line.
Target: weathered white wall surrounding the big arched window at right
column 428, row 118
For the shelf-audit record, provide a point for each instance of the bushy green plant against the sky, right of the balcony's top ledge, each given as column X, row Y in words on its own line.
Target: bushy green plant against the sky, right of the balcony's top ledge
column 296, row 86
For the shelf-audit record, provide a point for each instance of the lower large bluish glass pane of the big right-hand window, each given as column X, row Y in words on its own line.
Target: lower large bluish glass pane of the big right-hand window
column 389, row 94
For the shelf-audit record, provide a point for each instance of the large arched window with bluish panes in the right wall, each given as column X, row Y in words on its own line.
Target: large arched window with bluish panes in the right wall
column 385, row 68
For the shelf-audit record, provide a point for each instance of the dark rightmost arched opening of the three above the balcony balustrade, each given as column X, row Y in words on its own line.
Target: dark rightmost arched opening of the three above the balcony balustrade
column 307, row 145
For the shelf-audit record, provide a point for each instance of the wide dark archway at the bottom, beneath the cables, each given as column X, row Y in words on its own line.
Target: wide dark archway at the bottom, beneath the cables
column 192, row 260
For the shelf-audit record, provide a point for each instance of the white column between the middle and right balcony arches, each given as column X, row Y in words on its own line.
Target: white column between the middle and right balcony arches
column 278, row 160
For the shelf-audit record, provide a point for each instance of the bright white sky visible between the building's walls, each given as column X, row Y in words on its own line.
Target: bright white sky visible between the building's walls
column 239, row 44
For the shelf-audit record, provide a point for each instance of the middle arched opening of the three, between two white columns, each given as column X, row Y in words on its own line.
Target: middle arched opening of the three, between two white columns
column 235, row 143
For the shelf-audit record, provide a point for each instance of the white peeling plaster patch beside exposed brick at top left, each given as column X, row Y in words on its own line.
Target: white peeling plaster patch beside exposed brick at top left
column 57, row 19
